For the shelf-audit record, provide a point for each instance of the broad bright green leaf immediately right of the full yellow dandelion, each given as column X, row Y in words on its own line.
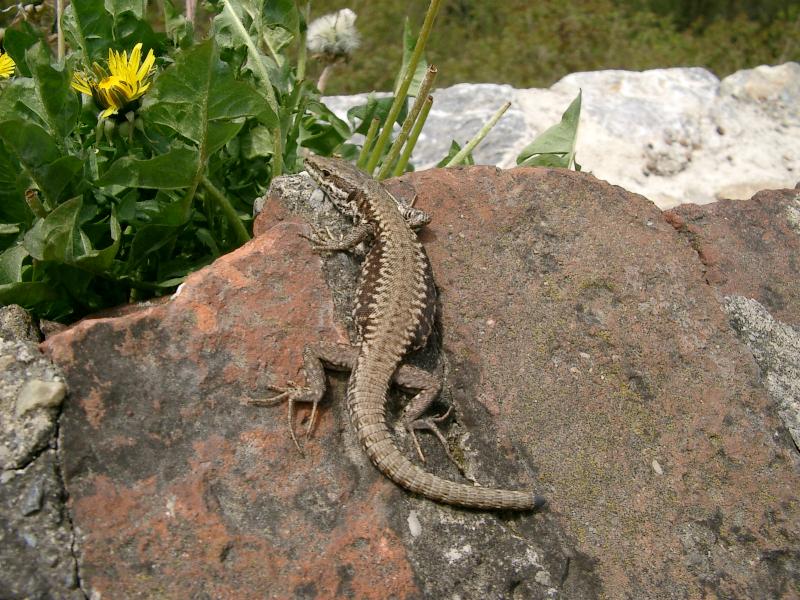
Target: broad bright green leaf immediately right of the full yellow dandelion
column 199, row 98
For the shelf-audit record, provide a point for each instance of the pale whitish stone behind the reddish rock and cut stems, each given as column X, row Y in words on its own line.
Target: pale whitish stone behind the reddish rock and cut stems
column 672, row 135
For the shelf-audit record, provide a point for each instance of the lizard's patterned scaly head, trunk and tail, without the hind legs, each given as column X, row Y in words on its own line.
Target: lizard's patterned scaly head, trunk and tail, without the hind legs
column 394, row 313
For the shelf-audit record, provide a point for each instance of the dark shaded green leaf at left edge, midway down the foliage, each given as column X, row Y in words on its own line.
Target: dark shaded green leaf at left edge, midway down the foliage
column 43, row 163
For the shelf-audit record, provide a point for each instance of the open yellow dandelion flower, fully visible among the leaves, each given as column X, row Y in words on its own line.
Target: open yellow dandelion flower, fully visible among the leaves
column 128, row 81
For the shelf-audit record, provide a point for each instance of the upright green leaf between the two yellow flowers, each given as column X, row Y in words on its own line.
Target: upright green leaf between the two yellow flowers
column 59, row 101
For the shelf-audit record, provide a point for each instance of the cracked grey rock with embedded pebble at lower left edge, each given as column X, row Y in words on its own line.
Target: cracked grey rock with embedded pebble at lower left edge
column 36, row 559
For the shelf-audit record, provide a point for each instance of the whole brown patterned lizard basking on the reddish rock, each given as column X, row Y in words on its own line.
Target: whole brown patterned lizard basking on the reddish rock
column 394, row 314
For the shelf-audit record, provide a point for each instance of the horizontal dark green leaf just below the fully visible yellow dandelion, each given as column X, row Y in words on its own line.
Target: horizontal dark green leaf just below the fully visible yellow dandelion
column 172, row 170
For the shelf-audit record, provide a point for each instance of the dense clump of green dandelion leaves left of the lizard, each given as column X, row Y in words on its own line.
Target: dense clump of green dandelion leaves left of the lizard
column 96, row 212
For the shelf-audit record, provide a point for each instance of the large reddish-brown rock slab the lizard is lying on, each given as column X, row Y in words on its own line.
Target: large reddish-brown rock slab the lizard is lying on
column 585, row 354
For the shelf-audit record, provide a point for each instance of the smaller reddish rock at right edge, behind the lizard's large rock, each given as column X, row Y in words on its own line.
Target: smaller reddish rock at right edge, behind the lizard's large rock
column 749, row 248
